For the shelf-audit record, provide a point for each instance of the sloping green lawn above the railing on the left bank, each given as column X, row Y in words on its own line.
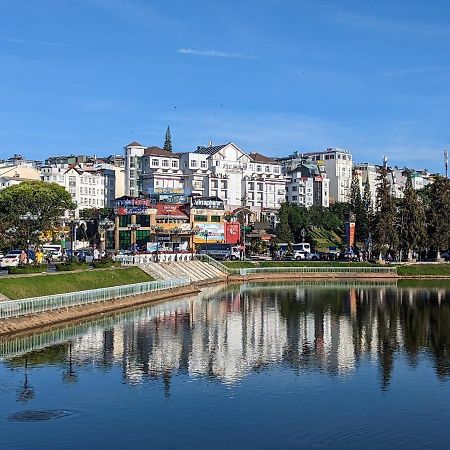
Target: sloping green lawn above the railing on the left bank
column 41, row 285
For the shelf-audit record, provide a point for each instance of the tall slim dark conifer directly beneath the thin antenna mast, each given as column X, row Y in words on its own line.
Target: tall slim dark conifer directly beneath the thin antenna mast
column 385, row 236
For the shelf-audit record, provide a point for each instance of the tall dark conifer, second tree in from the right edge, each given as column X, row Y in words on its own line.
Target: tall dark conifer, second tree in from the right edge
column 411, row 220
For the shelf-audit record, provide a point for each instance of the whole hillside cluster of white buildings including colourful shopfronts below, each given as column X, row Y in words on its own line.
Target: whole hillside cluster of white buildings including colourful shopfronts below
column 156, row 192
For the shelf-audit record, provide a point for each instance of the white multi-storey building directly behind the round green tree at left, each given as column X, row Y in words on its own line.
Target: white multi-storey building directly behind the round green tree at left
column 86, row 187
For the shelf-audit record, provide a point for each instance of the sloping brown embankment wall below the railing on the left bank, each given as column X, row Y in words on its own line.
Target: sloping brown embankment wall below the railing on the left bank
column 32, row 322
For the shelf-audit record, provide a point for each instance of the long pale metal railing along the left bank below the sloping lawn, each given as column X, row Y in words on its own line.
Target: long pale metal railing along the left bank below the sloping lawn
column 17, row 308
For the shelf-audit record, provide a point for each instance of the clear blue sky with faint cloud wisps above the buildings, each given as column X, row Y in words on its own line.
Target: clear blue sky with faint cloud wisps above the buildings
column 89, row 76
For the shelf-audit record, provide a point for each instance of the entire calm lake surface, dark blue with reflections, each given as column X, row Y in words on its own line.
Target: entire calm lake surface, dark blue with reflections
column 245, row 366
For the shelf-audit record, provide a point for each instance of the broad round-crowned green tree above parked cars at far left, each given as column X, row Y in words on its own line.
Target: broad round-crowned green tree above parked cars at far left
column 46, row 201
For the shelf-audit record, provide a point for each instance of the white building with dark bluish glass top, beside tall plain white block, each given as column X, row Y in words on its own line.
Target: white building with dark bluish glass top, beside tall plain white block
column 308, row 185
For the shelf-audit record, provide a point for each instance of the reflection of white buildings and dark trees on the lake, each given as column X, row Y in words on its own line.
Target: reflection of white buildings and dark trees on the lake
column 228, row 332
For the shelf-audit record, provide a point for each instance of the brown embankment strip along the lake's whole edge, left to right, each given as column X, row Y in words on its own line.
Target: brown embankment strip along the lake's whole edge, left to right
column 30, row 323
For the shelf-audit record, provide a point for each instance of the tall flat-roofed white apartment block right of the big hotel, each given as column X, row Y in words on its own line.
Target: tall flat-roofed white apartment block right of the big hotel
column 338, row 166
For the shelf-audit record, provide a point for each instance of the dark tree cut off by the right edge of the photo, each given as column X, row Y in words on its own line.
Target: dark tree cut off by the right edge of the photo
column 438, row 214
